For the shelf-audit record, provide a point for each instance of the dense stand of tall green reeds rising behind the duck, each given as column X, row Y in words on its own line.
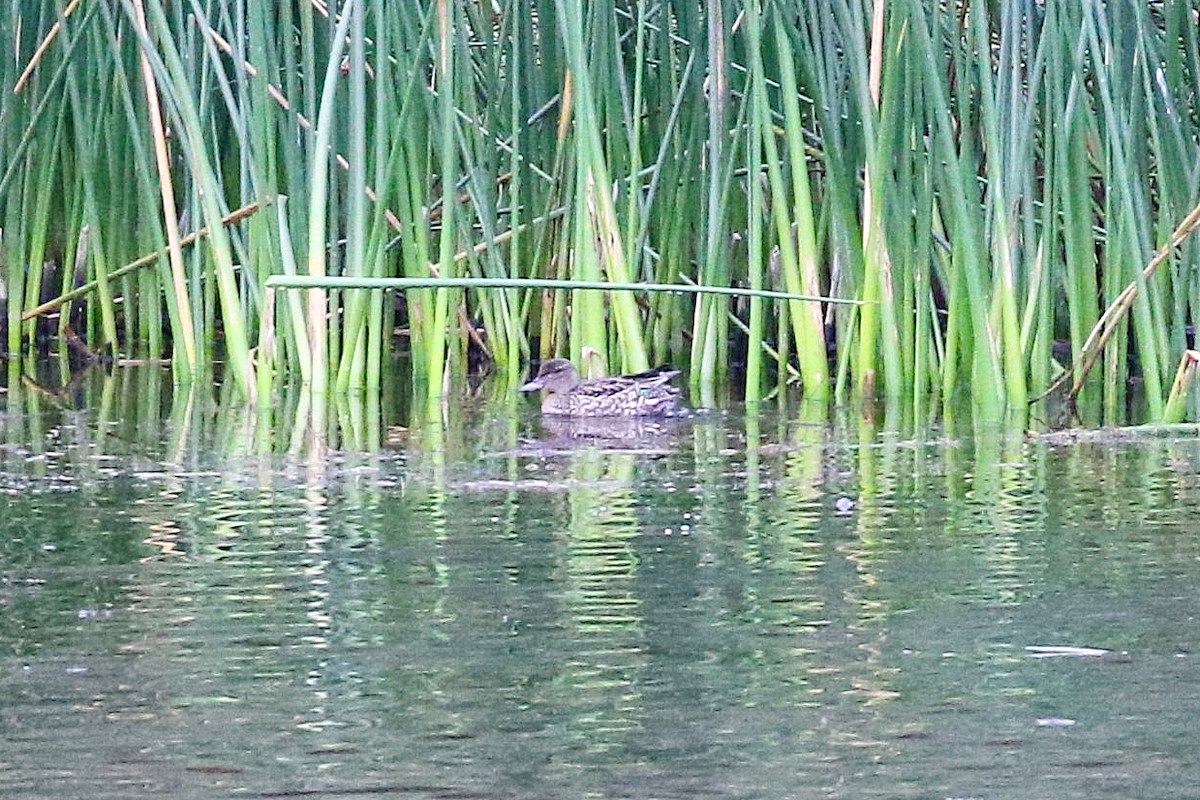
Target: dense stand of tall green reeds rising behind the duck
column 889, row 199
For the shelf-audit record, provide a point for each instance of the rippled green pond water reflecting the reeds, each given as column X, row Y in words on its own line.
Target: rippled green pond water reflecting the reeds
column 766, row 605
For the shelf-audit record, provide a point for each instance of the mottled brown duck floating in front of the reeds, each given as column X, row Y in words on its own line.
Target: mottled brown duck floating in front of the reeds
column 565, row 394
